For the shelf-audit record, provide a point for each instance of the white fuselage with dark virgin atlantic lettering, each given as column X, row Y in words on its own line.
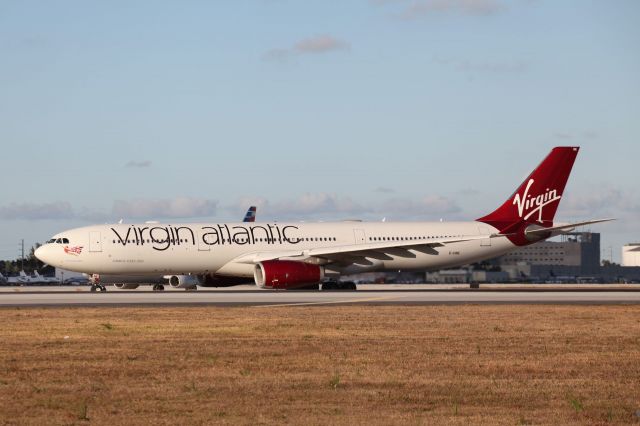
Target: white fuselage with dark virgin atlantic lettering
column 211, row 248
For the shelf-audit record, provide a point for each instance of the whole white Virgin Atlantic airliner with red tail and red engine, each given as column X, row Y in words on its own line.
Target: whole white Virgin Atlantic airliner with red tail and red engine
column 299, row 255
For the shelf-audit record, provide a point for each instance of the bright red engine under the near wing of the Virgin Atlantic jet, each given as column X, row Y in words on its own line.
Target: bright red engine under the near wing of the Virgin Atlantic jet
column 287, row 274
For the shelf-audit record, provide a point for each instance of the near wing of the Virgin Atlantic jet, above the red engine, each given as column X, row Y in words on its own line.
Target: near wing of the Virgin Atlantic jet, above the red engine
column 358, row 253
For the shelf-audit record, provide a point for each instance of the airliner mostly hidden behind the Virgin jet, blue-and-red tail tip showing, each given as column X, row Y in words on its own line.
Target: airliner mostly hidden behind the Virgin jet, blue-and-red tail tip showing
column 184, row 281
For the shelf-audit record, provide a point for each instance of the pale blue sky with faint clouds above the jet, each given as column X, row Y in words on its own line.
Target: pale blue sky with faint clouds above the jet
column 315, row 110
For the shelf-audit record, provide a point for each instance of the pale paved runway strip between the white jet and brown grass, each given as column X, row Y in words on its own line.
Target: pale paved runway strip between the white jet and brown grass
column 381, row 295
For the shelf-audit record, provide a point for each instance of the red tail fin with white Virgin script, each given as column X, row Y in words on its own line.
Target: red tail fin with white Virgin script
column 537, row 199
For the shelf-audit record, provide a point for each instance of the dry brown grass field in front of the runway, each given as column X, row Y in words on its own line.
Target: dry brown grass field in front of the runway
column 520, row 364
